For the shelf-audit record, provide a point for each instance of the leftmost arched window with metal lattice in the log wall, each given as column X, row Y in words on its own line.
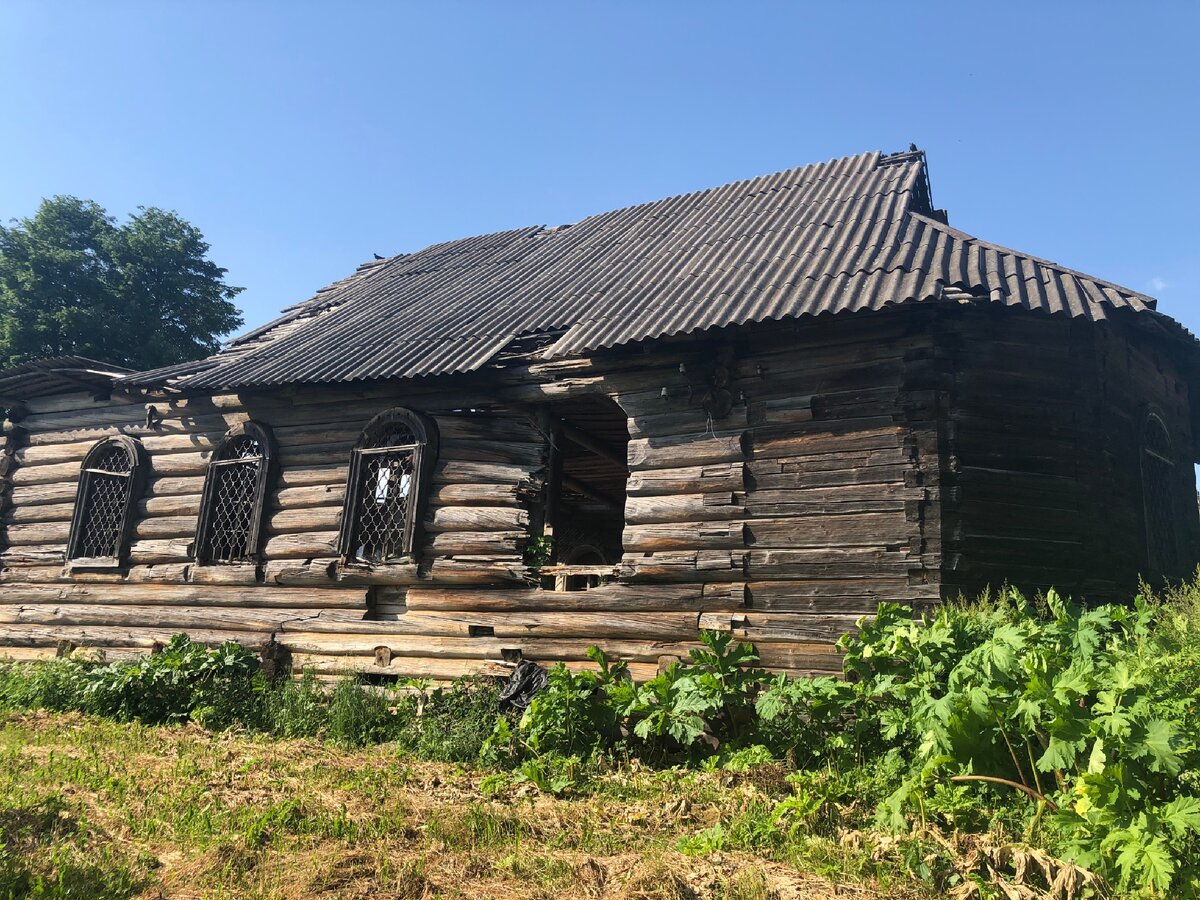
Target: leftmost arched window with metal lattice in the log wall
column 110, row 482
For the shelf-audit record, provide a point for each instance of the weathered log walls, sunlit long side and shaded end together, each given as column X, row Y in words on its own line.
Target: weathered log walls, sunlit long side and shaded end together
column 784, row 481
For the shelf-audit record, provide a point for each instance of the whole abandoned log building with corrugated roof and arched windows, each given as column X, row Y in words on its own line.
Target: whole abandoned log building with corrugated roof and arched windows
column 760, row 409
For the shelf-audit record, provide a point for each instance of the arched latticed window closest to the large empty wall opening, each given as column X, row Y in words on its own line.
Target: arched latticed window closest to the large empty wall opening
column 385, row 491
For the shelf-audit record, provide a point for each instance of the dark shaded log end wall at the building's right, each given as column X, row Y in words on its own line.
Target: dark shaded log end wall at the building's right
column 1042, row 457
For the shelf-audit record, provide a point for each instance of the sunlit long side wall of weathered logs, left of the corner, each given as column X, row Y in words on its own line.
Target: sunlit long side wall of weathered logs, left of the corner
column 783, row 517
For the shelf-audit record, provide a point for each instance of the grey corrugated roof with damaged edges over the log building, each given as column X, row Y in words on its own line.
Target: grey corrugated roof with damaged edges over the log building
column 856, row 233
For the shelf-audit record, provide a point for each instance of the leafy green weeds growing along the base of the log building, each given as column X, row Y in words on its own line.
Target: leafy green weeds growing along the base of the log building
column 1003, row 748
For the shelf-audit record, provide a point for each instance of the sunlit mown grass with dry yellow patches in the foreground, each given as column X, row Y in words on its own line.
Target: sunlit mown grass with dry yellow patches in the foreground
column 94, row 809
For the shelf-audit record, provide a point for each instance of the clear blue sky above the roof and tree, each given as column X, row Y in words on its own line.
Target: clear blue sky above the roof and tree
column 304, row 137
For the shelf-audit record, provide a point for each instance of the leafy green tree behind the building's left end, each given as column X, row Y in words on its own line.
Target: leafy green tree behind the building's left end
column 141, row 295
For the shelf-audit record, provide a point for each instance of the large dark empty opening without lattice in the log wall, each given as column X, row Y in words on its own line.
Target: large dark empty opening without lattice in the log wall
column 585, row 501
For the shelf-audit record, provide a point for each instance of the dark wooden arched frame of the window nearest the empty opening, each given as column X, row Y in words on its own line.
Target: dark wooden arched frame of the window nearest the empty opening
column 425, row 452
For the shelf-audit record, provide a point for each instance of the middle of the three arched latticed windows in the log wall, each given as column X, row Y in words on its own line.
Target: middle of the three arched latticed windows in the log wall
column 231, row 521
